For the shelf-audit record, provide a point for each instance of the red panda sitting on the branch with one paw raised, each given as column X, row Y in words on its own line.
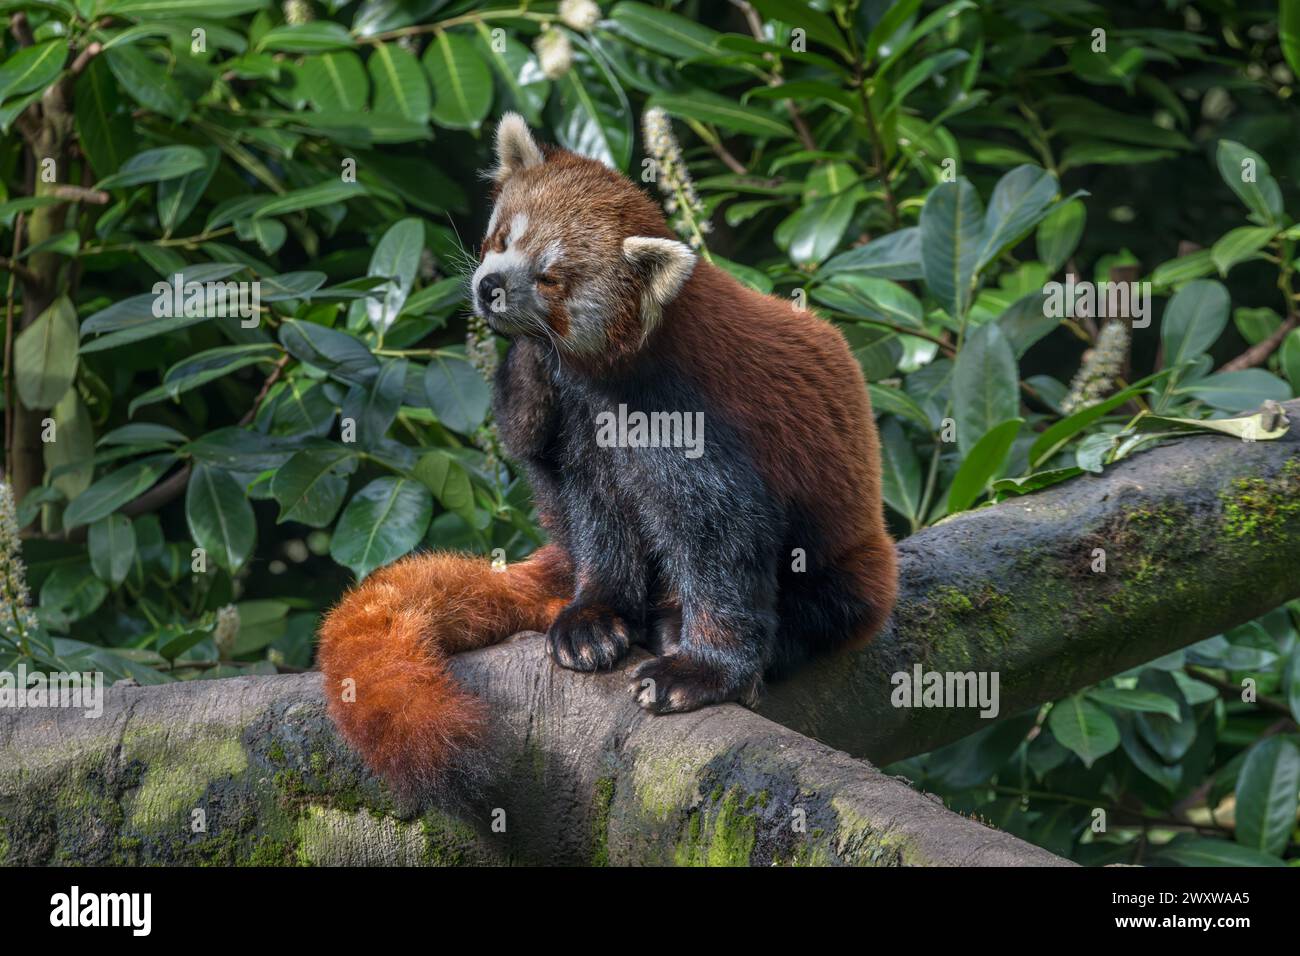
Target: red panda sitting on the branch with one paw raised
column 762, row 544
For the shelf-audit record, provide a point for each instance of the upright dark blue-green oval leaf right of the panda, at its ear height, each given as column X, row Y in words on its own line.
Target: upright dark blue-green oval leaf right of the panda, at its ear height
column 951, row 241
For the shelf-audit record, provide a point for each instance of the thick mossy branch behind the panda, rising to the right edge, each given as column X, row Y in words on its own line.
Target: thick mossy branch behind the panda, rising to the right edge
column 1198, row 537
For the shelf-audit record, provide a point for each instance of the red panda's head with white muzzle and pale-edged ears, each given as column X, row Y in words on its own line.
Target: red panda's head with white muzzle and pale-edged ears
column 575, row 253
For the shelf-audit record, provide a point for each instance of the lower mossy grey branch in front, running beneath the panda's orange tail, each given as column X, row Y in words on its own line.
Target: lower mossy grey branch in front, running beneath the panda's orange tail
column 582, row 776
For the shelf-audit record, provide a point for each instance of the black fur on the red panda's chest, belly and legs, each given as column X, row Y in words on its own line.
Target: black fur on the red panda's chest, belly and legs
column 694, row 557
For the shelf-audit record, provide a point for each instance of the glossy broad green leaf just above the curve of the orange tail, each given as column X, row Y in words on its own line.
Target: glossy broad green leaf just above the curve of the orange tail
column 382, row 524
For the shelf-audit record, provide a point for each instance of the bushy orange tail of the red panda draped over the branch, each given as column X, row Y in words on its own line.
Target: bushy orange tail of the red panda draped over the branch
column 392, row 635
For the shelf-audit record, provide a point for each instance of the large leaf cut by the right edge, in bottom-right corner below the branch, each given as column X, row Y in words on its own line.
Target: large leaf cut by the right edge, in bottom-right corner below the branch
column 1267, row 794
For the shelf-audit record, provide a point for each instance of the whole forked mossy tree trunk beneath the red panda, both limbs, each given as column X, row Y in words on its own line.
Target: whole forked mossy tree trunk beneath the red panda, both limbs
column 1198, row 537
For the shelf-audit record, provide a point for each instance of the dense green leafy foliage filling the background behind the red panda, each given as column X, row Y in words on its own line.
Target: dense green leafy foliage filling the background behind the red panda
column 916, row 171
